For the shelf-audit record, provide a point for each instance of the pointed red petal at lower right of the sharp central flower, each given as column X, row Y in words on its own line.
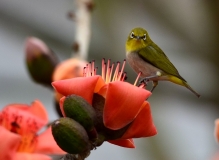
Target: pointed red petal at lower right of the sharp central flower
column 143, row 125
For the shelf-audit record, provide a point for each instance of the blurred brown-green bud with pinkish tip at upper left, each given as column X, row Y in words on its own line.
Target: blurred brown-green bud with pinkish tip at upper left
column 40, row 61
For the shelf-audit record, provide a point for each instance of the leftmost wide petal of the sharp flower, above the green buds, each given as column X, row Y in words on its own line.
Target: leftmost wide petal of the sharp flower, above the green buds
column 82, row 86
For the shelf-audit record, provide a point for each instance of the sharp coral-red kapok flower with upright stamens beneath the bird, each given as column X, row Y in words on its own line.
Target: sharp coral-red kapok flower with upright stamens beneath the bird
column 124, row 104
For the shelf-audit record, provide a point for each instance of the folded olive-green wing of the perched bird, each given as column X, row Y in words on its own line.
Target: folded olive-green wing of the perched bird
column 156, row 57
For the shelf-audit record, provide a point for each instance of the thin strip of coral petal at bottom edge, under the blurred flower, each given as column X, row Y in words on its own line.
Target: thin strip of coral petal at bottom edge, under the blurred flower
column 30, row 156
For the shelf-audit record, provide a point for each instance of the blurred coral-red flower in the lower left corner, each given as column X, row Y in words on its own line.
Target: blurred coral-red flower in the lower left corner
column 19, row 124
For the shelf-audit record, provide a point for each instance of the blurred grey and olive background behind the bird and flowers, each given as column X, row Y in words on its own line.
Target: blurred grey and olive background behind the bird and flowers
column 187, row 31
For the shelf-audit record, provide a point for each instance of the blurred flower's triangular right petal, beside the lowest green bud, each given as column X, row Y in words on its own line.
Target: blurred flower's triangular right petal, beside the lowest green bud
column 46, row 144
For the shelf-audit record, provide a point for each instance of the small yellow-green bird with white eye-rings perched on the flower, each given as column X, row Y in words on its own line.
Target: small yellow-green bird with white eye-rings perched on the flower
column 146, row 57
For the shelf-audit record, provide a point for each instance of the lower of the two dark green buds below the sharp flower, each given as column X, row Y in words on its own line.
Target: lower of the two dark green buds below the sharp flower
column 71, row 136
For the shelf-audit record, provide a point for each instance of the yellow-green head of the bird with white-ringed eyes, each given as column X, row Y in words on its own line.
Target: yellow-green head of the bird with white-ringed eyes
column 137, row 39
